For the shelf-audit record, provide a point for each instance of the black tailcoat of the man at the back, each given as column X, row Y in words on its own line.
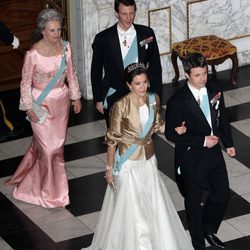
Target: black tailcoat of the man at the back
column 107, row 65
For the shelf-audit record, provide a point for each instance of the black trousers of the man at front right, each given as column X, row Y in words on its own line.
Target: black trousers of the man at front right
column 204, row 171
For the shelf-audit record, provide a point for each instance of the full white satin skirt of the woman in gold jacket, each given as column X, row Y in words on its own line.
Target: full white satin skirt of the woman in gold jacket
column 139, row 215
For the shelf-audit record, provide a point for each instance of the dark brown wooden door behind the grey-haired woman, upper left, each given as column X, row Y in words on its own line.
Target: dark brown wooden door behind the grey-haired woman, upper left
column 20, row 17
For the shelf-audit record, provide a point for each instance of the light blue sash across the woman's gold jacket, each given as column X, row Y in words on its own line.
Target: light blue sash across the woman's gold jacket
column 119, row 160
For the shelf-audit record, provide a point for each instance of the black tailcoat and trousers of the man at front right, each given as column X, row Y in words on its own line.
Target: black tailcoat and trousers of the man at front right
column 201, row 168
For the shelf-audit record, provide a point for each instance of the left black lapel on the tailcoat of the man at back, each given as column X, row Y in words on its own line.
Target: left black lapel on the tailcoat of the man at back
column 115, row 47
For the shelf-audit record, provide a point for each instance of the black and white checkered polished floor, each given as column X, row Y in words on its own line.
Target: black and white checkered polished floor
column 24, row 226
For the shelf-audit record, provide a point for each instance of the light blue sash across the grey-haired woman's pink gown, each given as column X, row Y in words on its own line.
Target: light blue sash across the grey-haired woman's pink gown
column 53, row 81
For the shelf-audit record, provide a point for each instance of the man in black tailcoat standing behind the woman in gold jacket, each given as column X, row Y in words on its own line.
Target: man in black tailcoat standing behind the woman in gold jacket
column 116, row 47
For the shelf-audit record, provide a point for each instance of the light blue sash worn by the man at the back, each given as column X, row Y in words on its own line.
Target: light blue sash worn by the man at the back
column 131, row 57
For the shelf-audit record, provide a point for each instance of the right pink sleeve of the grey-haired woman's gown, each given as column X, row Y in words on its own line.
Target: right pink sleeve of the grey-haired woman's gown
column 74, row 88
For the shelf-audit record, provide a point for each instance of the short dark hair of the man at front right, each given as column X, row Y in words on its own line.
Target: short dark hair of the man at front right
column 194, row 60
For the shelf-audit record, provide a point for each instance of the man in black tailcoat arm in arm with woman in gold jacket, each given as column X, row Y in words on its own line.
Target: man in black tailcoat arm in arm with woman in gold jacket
column 199, row 162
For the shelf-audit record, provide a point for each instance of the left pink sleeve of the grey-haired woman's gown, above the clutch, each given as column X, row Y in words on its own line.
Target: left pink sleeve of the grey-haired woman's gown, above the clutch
column 26, row 82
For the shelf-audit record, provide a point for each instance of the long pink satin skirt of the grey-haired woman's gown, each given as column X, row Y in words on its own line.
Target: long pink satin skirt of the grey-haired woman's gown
column 41, row 177
